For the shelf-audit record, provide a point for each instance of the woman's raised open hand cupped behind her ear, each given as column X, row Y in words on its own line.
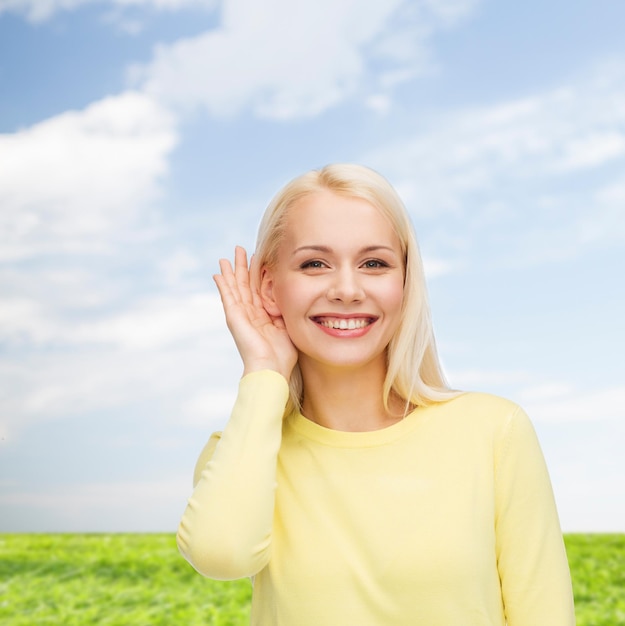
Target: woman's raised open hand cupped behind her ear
column 262, row 340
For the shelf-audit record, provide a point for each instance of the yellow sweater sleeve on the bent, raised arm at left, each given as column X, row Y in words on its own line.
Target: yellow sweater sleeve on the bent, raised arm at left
column 225, row 531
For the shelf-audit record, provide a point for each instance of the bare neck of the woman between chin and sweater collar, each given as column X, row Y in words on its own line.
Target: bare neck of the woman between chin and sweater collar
column 348, row 399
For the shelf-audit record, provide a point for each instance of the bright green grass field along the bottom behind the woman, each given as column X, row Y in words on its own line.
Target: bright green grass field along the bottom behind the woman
column 140, row 580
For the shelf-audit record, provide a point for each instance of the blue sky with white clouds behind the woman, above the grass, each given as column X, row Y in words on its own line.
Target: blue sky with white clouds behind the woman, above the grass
column 140, row 140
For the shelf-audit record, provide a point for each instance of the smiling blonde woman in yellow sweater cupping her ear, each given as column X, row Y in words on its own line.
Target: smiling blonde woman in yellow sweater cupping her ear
column 351, row 482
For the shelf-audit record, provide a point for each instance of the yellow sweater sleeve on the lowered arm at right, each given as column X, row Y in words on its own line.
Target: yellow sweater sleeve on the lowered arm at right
column 531, row 557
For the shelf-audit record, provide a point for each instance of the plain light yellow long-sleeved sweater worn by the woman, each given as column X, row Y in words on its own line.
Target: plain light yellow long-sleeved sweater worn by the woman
column 446, row 518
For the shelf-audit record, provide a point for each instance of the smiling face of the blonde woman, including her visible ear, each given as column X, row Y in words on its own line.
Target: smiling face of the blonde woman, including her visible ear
column 338, row 282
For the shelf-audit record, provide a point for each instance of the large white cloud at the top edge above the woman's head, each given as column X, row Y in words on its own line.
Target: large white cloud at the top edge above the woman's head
column 284, row 59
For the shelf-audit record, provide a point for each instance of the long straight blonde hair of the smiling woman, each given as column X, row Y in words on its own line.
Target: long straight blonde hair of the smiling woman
column 413, row 369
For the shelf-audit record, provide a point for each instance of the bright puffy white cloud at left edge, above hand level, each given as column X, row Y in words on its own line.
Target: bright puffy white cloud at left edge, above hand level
column 76, row 178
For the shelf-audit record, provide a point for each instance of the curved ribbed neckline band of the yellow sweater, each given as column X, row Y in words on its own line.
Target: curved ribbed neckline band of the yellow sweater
column 349, row 439
